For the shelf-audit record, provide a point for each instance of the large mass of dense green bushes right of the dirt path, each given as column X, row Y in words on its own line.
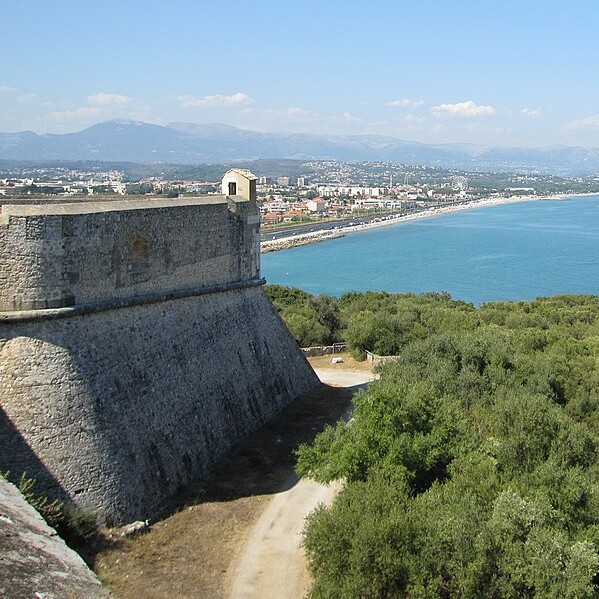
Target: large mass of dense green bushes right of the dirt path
column 471, row 467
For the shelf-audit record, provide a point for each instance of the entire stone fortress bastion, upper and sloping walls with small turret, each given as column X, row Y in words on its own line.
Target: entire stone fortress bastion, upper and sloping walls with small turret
column 136, row 347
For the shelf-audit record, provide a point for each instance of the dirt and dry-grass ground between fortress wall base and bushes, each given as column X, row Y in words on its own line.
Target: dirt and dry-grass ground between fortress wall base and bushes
column 196, row 550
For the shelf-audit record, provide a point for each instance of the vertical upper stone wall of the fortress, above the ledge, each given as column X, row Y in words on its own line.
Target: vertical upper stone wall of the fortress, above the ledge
column 64, row 255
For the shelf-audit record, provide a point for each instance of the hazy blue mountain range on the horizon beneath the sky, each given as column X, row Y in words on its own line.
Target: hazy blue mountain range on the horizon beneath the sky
column 189, row 143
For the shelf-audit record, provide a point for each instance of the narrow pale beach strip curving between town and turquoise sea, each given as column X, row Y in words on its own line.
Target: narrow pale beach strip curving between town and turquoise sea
column 319, row 236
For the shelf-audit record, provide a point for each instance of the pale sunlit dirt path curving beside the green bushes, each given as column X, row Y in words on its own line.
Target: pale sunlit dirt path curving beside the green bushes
column 272, row 562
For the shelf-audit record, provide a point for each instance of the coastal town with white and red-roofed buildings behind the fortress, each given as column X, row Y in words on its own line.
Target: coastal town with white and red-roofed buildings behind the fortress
column 300, row 202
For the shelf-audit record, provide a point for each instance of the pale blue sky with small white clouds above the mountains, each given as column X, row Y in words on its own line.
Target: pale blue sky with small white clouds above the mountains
column 496, row 72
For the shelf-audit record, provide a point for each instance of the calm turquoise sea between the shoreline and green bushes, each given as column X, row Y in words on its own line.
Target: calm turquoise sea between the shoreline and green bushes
column 511, row 252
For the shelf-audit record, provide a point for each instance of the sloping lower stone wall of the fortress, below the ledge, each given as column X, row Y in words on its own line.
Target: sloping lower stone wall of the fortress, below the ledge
column 120, row 408
